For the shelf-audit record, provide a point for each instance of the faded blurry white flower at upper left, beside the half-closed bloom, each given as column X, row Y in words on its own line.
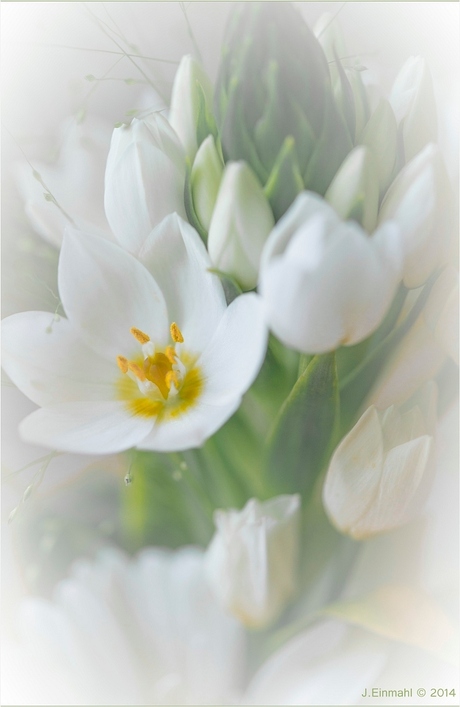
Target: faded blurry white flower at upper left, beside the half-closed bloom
column 75, row 180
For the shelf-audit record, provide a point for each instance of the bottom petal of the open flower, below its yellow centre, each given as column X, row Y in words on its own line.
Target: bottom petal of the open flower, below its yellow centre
column 191, row 429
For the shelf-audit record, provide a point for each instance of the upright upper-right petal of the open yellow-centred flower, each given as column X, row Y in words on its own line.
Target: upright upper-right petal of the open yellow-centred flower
column 177, row 258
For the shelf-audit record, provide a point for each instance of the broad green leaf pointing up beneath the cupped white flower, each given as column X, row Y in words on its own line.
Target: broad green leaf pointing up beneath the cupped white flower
column 304, row 433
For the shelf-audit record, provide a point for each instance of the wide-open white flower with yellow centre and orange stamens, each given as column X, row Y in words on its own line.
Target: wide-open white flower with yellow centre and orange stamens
column 151, row 358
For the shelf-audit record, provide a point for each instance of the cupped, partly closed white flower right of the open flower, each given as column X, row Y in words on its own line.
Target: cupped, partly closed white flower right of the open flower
column 326, row 283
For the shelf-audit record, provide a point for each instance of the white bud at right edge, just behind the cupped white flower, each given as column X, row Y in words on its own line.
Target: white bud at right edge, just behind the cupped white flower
column 419, row 201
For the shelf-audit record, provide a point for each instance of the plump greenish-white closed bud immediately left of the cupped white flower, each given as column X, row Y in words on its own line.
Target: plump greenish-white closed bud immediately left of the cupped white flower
column 240, row 224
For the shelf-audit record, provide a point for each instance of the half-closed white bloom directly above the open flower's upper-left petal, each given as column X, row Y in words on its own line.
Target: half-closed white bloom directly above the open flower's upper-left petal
column 144, row 186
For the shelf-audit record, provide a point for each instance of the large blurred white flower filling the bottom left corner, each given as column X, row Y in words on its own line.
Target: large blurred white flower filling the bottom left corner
column 128, row 631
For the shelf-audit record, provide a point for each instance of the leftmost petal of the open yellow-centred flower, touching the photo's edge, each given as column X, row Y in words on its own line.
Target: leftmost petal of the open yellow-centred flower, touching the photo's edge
column 49, row 363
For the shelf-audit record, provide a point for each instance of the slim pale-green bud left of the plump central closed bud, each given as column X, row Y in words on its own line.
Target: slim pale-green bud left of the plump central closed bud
column 206, row 175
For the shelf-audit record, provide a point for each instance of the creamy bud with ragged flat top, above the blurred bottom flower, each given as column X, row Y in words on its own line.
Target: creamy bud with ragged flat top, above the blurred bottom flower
column 251, row 562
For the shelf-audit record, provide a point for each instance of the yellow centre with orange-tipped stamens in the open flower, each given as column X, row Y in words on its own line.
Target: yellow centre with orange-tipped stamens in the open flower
column 161, row 383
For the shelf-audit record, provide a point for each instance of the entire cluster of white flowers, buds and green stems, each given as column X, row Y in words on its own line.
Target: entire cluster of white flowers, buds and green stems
column 258, row 305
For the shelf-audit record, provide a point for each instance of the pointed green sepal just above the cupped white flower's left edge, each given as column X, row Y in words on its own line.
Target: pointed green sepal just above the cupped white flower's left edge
column 285, row 180
